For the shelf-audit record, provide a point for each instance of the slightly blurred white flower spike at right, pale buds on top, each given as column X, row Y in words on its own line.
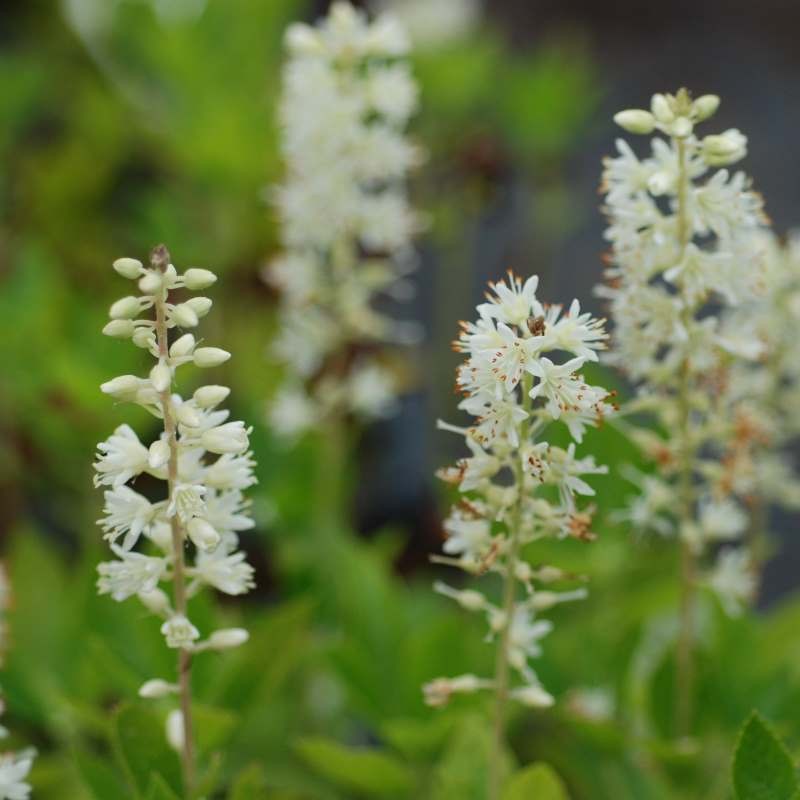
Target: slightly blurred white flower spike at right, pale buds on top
column 687, row 243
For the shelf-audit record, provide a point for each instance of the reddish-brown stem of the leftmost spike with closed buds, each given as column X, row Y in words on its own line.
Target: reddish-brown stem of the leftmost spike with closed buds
column 160, row 260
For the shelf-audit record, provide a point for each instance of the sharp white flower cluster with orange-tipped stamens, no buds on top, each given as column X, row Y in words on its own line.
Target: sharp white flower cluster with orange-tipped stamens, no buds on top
column 516, row 487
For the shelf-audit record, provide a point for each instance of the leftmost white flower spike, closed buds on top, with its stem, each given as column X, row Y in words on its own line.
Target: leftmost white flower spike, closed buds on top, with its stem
column 189, row 537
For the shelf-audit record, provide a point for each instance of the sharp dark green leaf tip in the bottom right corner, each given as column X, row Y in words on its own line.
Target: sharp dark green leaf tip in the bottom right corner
column 762, row 767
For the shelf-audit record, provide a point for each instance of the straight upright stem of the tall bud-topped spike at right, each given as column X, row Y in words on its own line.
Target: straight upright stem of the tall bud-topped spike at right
column 684, row 665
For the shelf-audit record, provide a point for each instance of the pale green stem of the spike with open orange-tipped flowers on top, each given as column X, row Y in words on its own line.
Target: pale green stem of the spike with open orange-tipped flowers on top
column 502, row 676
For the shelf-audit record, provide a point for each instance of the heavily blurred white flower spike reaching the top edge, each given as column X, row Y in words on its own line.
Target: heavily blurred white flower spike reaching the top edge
column 345, row 218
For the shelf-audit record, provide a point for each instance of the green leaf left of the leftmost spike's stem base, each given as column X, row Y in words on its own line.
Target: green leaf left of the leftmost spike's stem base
column 142, row 746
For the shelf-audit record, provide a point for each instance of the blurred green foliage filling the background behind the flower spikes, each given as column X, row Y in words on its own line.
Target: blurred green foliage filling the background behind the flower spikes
column 116, row 138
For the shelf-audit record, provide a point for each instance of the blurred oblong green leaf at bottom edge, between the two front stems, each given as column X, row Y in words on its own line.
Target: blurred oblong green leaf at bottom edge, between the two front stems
column 366, row 771
